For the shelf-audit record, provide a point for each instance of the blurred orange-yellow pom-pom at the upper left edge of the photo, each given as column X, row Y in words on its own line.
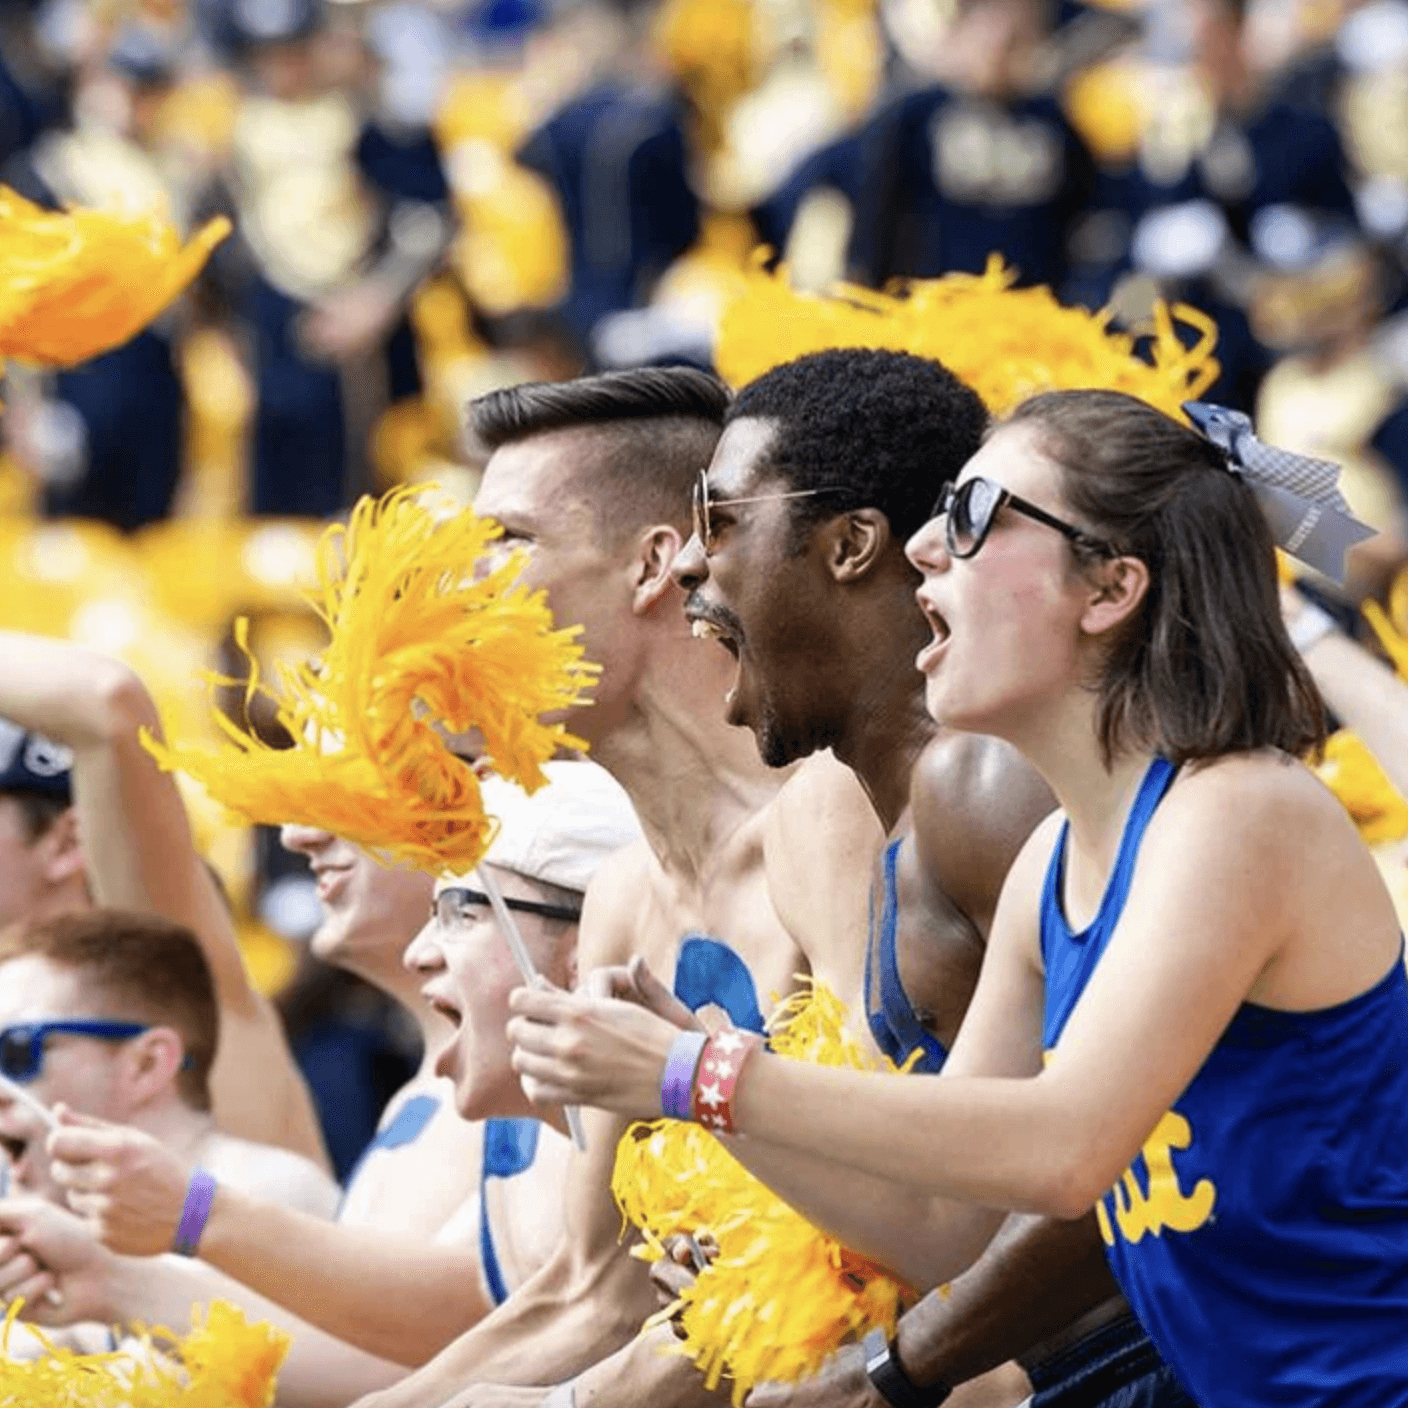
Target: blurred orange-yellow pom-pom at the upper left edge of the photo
column 82, row 282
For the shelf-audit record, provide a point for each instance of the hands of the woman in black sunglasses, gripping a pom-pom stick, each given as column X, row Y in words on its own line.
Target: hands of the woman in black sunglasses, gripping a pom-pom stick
column 605, row 1045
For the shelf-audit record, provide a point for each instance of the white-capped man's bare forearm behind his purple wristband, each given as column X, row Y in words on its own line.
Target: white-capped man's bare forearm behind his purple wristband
column 398, row 1297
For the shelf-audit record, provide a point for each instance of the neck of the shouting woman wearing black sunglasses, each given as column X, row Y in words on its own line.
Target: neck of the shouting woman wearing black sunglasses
column 1096, row 798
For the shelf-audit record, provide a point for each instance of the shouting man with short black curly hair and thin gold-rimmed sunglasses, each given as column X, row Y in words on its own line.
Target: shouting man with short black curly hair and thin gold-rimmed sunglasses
column 798, row 565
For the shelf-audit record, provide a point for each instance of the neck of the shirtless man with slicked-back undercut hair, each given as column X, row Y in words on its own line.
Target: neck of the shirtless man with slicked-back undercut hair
column 692, row 778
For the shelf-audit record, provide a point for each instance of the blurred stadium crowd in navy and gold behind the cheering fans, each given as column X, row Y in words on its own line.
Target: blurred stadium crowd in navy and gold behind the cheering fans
column 436, row 198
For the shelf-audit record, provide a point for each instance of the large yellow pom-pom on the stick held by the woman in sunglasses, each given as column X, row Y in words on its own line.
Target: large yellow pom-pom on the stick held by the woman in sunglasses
column 416, row 637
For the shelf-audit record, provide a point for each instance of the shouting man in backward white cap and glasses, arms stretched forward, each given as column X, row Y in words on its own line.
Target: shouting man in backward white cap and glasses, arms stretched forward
column 347, row 1293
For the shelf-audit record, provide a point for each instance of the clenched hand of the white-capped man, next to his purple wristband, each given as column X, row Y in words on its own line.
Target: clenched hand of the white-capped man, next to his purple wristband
column 129, row 1186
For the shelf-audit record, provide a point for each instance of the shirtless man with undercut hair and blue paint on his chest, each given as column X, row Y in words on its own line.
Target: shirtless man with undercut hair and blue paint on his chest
column 593, row 479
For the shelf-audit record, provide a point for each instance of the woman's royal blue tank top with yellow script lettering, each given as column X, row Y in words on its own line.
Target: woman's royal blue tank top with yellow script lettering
column 1262, row 1233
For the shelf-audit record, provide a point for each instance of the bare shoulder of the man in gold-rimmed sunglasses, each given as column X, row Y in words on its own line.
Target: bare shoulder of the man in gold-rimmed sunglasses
column 975, row 802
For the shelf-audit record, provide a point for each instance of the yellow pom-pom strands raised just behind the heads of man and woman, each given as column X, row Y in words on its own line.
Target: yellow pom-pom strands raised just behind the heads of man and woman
column 1006, row 343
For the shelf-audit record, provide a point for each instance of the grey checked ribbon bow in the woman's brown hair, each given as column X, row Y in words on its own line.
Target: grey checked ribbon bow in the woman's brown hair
column 1299, row 496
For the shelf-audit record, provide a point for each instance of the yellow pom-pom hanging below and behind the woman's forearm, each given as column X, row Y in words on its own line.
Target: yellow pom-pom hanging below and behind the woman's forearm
column 781, row 1297
